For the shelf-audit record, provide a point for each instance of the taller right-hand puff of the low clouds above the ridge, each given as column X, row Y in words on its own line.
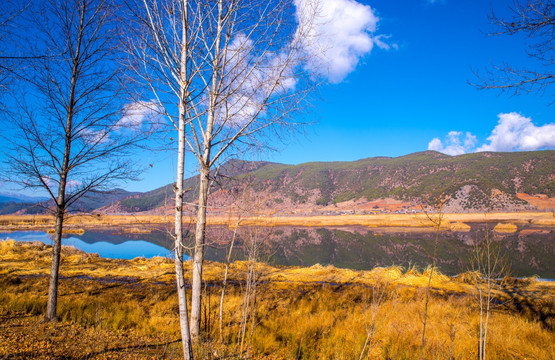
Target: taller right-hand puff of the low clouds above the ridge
column 516, row 132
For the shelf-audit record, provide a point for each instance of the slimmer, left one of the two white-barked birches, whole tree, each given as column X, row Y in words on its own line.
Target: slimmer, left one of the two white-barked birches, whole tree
column 161, row 48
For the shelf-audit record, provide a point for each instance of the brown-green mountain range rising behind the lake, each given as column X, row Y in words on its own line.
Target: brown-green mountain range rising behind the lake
column 478, row 182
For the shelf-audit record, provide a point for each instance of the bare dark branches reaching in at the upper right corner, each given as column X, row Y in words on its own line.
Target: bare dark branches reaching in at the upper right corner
column 534, row 19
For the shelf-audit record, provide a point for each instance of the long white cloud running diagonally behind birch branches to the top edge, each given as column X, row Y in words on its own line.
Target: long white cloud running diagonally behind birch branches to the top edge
column 333, row 43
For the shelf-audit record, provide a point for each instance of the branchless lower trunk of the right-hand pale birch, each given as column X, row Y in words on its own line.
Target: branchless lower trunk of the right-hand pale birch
column 198, row 257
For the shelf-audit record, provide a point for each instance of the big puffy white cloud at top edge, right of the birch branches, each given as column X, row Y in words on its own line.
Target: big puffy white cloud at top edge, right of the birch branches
column 340, row 35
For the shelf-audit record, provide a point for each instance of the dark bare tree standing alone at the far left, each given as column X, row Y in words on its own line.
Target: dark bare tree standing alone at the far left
column 69, row 137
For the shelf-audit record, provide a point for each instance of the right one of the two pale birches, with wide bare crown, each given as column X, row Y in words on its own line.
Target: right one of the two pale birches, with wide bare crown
column 248, row 65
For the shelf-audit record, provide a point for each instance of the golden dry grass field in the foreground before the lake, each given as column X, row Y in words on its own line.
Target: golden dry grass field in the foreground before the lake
column 127, row 309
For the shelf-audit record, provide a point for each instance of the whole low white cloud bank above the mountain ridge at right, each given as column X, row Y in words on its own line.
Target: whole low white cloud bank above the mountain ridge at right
column 513, row 132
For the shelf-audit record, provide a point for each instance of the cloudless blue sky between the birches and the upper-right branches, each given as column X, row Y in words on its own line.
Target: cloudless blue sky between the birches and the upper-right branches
column 397, row 101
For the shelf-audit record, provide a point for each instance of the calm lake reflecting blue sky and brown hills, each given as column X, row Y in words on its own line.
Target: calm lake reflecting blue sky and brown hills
column 531, row 251
